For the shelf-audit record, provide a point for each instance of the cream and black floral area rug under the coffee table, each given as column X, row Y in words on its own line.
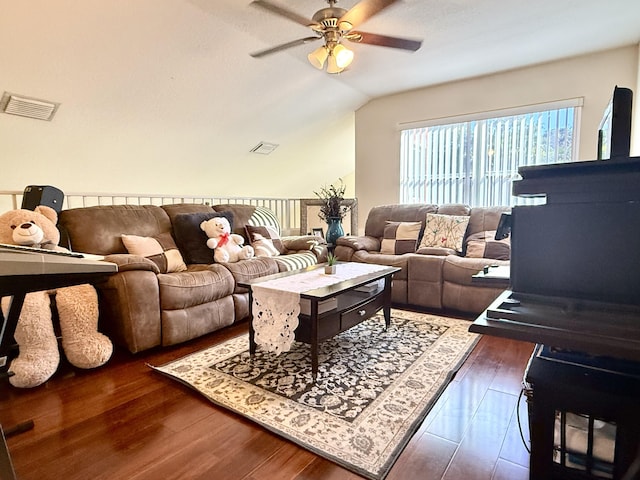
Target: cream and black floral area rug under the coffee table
column 374, row 387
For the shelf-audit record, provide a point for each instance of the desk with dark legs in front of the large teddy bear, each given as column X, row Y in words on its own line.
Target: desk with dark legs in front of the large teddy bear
column 24, row 272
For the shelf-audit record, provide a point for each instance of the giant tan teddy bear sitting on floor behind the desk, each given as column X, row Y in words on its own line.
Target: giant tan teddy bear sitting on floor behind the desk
column 77, row 307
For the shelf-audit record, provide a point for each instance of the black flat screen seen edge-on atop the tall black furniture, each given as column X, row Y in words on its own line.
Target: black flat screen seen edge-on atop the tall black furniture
column 614, row 134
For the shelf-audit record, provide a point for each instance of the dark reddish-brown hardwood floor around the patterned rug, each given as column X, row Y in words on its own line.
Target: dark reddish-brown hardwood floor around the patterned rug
column 125, row 421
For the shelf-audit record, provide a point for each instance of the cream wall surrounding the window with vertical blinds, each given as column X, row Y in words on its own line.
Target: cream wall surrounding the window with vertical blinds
column 592, row 77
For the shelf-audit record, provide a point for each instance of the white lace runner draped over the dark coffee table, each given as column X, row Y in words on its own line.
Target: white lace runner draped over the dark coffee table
column 276, row 303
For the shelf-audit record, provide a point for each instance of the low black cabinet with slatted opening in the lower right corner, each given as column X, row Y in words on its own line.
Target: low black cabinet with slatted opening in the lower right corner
column 600, row 392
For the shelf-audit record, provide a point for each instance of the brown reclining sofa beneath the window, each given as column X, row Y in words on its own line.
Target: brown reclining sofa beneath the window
column 432, row 278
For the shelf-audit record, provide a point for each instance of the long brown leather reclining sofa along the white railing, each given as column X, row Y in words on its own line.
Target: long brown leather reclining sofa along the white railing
column 141, row 307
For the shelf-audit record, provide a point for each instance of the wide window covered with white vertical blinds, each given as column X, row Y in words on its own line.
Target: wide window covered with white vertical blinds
column 476, row 160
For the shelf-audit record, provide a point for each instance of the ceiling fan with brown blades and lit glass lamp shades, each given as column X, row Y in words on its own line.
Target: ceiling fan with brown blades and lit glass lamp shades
column 334, row 24
